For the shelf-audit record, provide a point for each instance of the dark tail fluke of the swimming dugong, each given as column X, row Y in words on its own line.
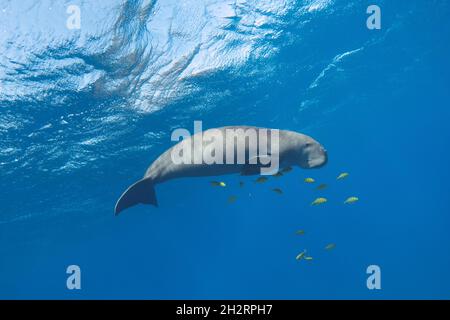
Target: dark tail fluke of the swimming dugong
column 142, row 191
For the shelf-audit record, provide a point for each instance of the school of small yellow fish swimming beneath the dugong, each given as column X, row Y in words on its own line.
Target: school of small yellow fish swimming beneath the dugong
column 316, row 202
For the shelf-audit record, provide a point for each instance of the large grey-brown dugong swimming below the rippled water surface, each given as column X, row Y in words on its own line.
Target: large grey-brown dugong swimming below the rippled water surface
column 222, row 145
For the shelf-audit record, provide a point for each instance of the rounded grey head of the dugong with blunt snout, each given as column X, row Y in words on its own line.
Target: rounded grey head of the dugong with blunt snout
column 310, row 153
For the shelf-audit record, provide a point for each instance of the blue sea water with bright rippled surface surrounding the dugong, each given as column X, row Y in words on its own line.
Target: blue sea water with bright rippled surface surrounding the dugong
column 84, row 112
